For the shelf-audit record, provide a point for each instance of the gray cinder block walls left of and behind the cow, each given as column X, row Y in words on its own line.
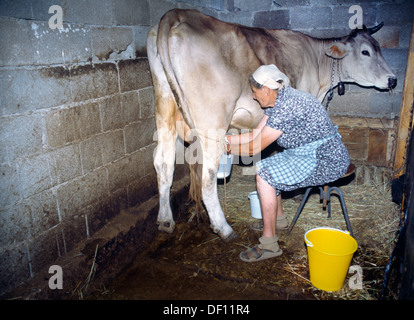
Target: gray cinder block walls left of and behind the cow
column 77, row 117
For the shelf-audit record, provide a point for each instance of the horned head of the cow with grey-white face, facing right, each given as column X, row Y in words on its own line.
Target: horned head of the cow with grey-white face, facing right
column 362, row 60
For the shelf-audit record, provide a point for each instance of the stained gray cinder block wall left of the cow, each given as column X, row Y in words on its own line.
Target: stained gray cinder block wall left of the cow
column 76, row 126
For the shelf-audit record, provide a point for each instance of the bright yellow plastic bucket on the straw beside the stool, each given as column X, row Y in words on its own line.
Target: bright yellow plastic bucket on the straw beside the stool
column 330, row 252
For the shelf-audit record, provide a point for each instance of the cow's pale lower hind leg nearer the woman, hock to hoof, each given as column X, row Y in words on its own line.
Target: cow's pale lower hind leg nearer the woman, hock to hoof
column 210, row 198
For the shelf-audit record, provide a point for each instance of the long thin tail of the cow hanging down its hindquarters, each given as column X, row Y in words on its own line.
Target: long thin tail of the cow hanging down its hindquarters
column 169, row 21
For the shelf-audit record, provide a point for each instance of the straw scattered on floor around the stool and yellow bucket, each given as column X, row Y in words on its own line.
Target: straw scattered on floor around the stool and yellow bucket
column 374, row 219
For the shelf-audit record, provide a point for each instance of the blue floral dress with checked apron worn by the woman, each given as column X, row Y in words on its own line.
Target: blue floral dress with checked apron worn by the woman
column 306, row 126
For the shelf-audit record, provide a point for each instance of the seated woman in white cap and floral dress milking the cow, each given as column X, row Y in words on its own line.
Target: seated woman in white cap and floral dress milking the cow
column 314, row 153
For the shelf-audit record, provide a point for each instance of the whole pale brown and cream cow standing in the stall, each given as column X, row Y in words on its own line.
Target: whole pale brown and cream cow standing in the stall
column 200, row 68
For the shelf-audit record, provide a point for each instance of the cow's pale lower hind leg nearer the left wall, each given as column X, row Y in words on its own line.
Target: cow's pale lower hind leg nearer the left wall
column 164, row 165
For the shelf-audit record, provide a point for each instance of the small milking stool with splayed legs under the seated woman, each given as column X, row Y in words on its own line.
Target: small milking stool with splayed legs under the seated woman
column 325, row 196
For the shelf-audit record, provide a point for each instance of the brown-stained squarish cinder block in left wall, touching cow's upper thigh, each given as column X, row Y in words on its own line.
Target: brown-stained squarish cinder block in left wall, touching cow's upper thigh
column 134, row 74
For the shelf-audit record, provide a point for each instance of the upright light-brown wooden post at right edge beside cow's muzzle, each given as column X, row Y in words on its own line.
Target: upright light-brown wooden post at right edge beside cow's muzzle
column 405, row 123
